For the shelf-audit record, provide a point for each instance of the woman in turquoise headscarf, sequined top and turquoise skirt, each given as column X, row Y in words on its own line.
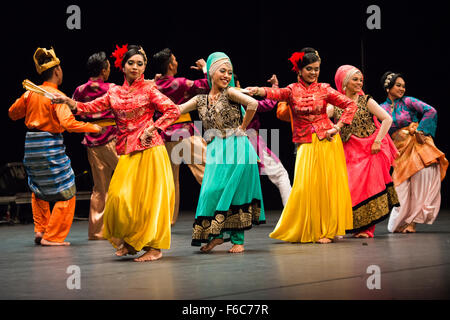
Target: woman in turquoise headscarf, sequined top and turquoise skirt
column 230, row 197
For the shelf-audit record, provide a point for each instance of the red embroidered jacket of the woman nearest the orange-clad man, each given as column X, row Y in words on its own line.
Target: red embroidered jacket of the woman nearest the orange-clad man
column 133, row 108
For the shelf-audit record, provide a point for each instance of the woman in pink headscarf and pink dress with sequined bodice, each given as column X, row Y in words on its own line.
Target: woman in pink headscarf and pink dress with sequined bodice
column 369, row 154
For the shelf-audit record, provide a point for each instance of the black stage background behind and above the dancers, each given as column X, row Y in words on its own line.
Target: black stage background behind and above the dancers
column 259, row 37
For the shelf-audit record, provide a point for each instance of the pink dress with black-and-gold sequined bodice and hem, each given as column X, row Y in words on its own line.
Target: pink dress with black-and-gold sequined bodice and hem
column 371, row 187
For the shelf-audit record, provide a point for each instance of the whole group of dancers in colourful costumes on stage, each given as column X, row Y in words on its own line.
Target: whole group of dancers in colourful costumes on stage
column 346, row 145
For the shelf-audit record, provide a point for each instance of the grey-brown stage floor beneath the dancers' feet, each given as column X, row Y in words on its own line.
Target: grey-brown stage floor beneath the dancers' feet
column 411, row 266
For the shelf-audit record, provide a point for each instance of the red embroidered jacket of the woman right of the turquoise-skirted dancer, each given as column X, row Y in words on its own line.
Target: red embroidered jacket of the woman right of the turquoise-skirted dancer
column 309, row 108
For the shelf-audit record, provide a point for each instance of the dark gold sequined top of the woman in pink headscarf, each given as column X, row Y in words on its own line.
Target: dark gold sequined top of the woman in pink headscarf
column 362, row 125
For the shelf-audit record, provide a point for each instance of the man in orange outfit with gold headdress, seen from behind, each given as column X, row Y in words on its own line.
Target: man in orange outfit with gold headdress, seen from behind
column 50, row 175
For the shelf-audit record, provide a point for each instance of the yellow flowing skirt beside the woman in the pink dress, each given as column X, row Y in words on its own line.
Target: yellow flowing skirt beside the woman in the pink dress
column 320, row 204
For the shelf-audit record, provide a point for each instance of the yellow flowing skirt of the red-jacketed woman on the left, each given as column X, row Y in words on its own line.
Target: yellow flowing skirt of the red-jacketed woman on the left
column 141, row 199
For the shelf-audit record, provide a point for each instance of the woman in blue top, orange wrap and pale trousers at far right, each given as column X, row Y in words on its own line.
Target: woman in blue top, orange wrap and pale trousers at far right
column 421, row 167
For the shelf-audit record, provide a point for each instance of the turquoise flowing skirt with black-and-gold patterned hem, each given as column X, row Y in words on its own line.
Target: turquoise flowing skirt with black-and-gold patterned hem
column 230, row 196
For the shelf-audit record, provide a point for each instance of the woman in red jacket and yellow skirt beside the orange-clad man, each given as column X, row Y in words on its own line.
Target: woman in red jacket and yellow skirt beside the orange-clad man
column 141, row 194
